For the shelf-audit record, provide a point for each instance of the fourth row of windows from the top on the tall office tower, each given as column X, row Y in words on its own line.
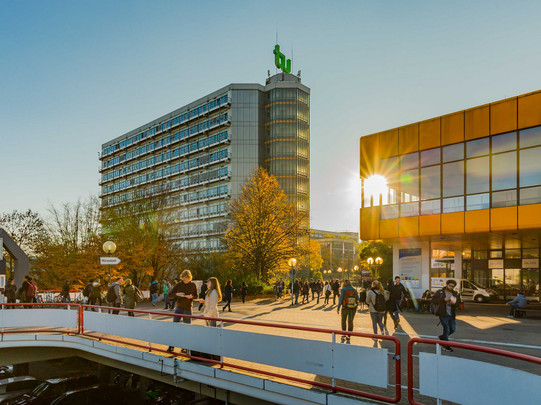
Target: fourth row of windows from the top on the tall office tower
column 168, row 171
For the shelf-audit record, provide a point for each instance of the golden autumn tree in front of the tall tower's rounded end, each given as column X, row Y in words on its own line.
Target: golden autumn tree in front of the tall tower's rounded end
column 264, row 228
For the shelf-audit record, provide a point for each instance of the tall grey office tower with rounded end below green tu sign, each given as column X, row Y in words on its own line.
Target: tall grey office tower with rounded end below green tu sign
column 199, row 156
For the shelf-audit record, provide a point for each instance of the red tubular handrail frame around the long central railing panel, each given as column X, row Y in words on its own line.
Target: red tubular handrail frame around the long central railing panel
column 396, row 356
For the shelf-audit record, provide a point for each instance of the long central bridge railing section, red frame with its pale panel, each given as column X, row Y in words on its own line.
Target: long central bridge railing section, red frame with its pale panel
column 322, row 362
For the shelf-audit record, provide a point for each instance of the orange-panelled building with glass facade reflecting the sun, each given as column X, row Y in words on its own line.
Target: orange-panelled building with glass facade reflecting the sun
column 465, row 188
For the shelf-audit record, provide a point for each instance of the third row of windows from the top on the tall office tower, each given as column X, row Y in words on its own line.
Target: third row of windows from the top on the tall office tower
column 183, row 150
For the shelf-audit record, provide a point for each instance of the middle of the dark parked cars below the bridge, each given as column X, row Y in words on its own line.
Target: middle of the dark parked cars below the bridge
column 51, row 389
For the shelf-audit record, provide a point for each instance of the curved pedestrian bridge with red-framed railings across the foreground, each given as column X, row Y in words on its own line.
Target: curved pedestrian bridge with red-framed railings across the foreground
column 274, row 363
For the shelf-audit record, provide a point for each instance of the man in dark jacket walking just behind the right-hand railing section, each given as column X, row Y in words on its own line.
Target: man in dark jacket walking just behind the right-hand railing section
column 444, row 304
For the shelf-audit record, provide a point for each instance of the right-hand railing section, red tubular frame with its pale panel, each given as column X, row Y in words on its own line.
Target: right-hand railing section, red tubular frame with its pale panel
column 459, row 380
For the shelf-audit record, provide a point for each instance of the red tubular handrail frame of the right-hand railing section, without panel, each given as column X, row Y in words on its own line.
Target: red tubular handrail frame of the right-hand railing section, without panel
column 466, row 346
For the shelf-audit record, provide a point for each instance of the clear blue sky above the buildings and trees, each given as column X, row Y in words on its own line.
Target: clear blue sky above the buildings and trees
column 75, row 74
